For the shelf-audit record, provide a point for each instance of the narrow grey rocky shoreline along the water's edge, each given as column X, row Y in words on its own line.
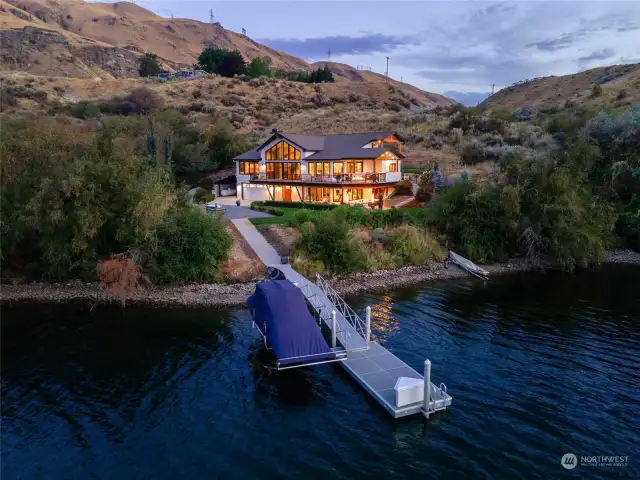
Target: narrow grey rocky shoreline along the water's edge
column 232, row 295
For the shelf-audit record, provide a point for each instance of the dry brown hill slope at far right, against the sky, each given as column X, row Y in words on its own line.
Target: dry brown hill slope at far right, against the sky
column 620, row 86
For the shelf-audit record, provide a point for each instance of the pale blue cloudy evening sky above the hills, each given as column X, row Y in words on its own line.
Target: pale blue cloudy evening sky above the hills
column 459, row 49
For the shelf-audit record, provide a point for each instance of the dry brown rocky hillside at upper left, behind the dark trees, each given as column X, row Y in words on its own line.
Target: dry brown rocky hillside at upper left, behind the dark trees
column 87, row 40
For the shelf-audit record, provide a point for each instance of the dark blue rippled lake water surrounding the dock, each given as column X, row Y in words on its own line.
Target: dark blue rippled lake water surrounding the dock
column 538, row 367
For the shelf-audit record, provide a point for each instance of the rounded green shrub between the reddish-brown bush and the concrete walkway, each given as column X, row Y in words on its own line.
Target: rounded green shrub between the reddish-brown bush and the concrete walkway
column 190, row 247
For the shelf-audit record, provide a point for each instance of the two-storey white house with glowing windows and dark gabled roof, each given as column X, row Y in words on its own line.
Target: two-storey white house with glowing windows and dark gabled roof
column 351, row 168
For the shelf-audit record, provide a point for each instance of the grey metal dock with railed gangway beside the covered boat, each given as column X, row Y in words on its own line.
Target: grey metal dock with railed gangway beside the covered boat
column 369, row 363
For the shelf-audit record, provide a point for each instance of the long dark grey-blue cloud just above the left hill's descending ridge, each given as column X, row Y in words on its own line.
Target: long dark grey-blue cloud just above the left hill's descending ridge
column 340, row 45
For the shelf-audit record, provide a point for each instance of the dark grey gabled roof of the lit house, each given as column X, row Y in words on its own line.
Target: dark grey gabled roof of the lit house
column 329, row 147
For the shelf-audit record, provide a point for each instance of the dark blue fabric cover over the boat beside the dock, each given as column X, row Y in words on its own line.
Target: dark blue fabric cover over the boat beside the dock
column 279, row 309
